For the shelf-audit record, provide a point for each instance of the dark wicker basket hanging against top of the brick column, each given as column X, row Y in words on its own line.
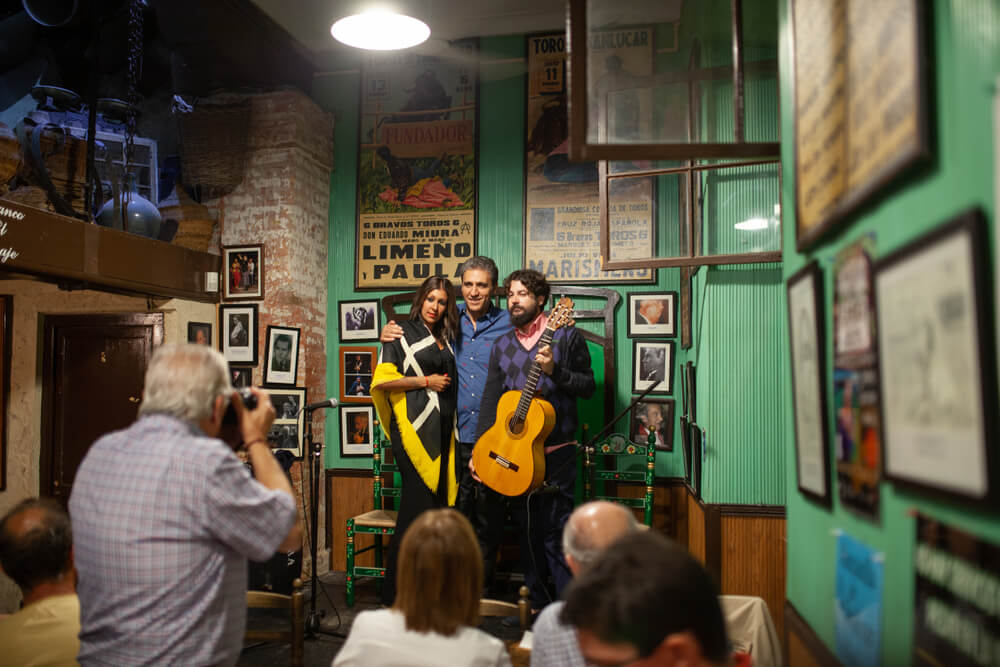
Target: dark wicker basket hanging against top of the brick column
column 214, row 146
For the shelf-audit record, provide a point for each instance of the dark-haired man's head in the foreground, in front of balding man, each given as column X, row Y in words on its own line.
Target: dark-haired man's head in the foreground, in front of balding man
column 647, row 602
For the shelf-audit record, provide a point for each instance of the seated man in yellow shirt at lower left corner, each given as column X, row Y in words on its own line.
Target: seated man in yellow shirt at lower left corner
column 36, row 551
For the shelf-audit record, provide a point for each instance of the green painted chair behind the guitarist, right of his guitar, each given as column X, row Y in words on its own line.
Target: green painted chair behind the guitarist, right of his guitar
column 606, row 465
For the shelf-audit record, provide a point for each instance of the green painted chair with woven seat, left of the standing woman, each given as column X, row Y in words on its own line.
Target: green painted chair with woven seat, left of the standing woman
column 380, row 522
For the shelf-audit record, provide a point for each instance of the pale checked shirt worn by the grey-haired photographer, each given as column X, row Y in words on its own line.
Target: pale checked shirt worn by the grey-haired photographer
column 164, row 519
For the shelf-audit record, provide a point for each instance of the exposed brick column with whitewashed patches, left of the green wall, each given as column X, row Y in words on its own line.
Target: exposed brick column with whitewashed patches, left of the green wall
column 283, row 203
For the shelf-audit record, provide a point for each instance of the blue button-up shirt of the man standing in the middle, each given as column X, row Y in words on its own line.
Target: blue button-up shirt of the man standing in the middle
column 472, row 358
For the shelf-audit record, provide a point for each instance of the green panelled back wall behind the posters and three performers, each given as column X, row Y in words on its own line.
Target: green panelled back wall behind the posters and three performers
column 744, row 462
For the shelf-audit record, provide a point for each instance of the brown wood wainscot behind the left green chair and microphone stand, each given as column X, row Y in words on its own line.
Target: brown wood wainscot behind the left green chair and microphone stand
column 348, row 493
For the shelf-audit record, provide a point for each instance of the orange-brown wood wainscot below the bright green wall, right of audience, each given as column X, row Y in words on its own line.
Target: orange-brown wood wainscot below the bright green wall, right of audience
column 753, row 560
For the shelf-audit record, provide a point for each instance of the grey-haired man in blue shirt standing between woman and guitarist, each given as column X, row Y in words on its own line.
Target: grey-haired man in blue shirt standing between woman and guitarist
column 482, row 323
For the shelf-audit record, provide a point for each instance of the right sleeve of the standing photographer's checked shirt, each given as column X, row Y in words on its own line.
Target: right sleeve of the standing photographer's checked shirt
column 244, row 514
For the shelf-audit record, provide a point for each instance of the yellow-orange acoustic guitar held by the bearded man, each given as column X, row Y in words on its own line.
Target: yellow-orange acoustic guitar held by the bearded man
column 510, row 456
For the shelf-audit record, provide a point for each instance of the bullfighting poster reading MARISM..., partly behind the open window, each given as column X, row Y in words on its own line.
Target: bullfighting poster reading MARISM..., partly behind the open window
column 562, row 205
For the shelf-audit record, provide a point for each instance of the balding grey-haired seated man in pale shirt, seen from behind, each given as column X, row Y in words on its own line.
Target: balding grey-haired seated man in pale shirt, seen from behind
column 591, row 528
